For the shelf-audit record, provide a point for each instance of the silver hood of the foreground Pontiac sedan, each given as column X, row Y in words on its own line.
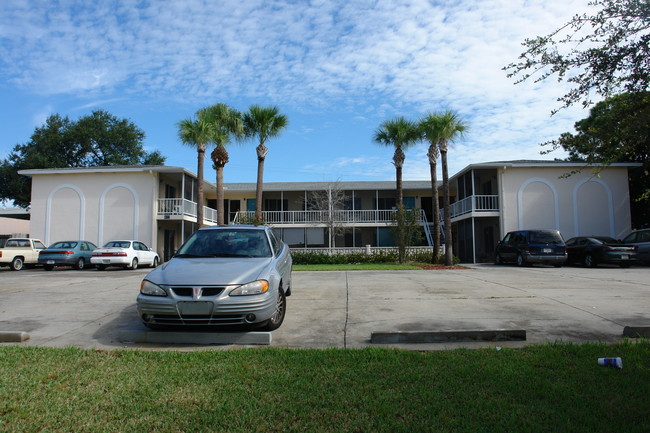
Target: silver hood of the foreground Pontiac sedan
column 210, row 271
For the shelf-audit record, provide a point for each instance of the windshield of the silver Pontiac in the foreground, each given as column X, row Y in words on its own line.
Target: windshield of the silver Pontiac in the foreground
column 226, row 243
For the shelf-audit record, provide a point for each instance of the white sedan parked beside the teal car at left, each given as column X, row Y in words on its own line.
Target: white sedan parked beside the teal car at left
column 127, row 254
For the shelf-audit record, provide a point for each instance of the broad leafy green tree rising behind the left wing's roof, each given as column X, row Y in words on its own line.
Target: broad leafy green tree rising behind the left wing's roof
column 98, row 139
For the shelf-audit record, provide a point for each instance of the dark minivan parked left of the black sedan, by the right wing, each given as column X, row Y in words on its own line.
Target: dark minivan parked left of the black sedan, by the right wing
column 525, row 247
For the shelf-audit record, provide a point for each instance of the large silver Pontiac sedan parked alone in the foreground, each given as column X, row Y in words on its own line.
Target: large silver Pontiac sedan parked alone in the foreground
column 228, row 275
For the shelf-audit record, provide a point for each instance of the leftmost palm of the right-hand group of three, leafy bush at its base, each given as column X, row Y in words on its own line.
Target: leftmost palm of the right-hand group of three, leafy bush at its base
column 399, row 133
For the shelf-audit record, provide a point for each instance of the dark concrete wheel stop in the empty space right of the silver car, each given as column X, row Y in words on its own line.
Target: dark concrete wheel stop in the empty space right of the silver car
column 447, row 336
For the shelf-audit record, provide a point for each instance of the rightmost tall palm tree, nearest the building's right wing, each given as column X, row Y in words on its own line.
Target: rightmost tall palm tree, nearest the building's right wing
column 452, row 127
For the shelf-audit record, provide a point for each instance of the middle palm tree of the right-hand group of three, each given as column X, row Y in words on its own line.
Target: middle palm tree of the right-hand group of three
column 430, row 128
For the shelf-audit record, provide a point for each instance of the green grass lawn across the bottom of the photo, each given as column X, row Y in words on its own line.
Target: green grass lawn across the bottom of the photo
column 552, row 388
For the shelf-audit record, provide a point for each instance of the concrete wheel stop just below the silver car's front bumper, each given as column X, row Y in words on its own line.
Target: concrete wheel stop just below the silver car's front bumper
column 255, row 338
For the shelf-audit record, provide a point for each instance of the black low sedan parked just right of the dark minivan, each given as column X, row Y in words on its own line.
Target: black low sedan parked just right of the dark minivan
column 592, row 250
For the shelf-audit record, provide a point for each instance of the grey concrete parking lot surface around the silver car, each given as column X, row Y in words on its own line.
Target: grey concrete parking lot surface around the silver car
column 91, row 308
